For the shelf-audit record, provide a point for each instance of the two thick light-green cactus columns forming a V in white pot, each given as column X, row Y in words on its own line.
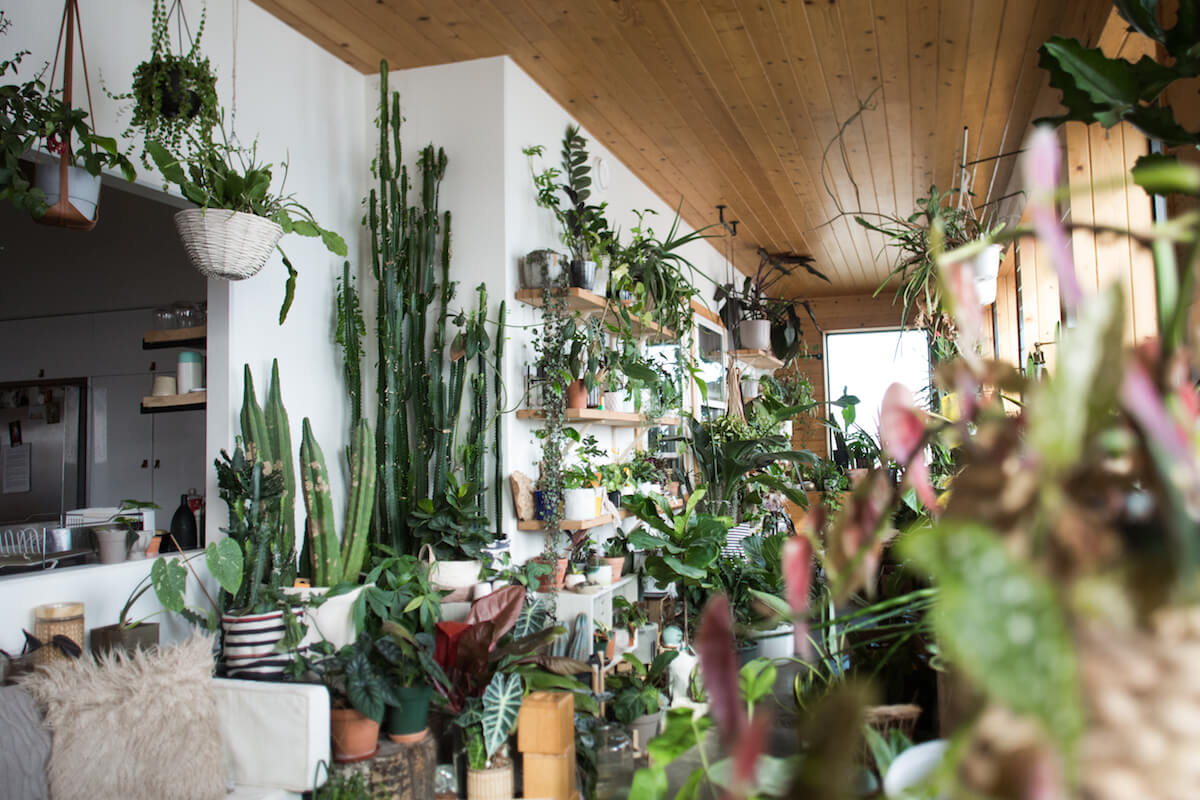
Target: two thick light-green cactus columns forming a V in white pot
column 338, row 560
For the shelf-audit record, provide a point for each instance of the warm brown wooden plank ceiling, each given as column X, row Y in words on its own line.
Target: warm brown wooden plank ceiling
column 735, row 101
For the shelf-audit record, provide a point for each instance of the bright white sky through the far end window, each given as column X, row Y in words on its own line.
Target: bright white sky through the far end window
column 866, row 364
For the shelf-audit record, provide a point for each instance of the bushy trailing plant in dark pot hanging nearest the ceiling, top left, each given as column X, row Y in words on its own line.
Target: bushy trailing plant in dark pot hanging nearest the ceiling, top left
column 175, row 94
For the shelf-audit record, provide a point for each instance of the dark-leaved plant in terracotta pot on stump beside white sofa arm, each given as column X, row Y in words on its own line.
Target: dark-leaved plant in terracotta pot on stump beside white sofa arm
column 358, row 690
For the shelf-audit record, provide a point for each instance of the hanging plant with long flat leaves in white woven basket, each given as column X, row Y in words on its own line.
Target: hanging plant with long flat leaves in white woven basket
column 239, row 221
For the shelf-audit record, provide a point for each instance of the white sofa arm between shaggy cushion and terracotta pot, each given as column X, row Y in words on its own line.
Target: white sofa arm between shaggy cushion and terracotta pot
column 275, row 735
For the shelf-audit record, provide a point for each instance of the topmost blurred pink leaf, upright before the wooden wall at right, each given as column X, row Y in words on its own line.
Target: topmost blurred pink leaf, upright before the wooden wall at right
column 1041, row 172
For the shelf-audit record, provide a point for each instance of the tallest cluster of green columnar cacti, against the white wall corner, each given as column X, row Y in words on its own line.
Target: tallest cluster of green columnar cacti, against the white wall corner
column 425, row 470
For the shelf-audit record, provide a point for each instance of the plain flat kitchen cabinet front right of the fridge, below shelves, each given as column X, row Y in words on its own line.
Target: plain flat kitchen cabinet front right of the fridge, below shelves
column 137, row 456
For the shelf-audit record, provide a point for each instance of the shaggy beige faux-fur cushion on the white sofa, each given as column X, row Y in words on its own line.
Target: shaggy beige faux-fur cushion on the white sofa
column 134, row 727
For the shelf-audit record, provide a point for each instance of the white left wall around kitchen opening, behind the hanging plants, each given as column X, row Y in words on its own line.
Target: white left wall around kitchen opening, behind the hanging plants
column 305, row 106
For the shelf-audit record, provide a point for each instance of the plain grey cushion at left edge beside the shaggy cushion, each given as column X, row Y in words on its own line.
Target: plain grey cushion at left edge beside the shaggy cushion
column 25, row 748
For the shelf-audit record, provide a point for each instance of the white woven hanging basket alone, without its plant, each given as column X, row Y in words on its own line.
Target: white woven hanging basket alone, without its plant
column 227, row 245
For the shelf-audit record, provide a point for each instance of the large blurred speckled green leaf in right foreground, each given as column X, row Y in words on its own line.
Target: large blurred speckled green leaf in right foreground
column 1003, row 624
